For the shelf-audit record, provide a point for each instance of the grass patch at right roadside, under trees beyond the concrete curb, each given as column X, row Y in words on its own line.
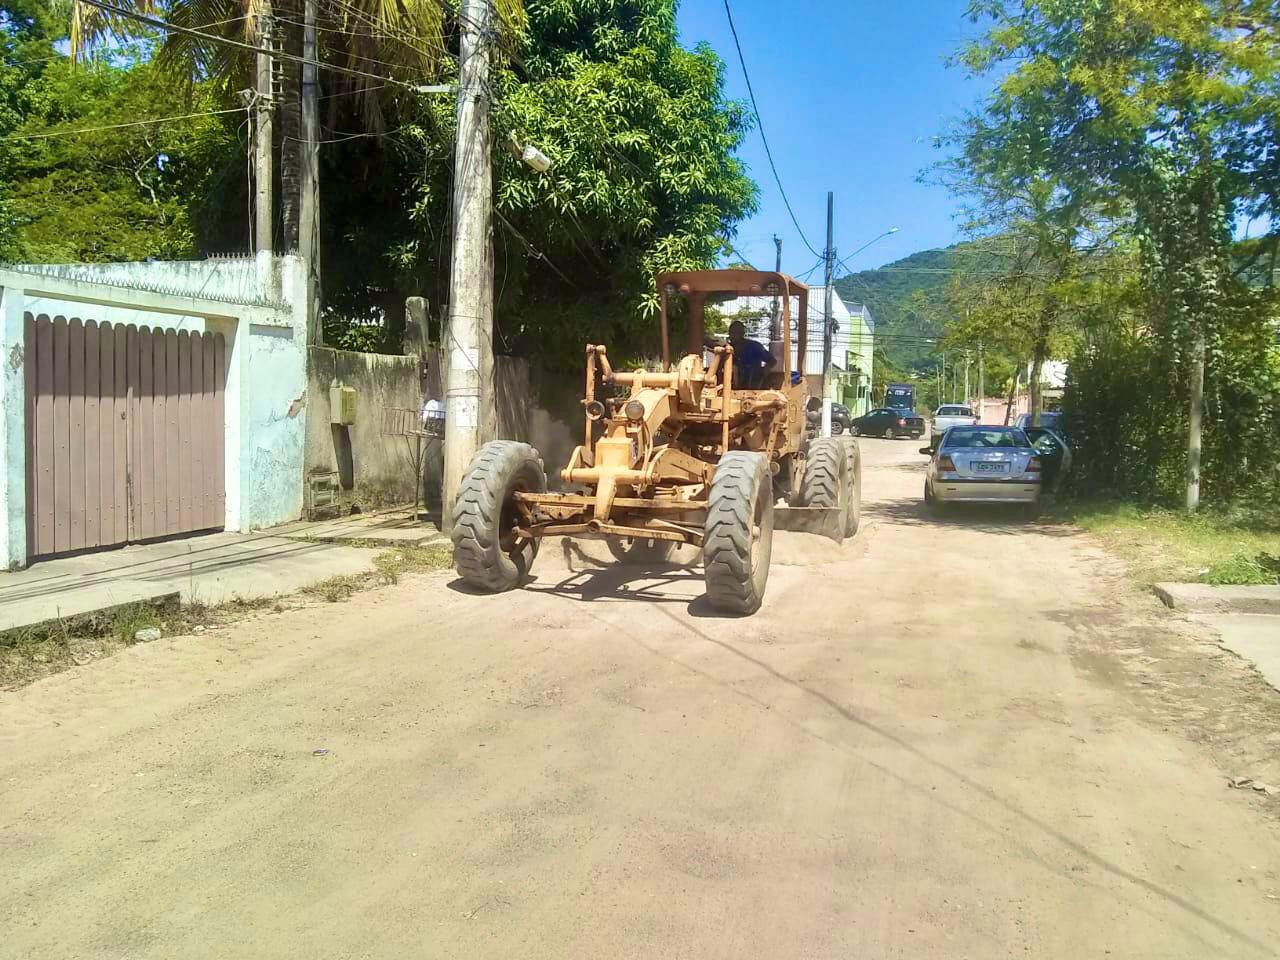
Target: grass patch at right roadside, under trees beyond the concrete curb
column 1224, row 547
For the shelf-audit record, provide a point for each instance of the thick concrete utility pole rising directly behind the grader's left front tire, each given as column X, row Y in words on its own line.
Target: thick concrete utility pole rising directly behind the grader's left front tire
column 470, row 413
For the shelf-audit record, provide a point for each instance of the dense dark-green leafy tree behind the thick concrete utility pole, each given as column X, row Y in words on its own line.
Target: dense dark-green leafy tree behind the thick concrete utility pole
column 644, row 179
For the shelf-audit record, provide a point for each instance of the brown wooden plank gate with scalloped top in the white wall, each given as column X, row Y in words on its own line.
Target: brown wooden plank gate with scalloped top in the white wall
column 125, row 433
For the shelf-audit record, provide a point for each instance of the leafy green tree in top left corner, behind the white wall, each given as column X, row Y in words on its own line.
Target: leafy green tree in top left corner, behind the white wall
column 83, row 179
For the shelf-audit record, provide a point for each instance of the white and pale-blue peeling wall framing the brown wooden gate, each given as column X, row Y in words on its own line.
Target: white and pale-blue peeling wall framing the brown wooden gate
column 263, row 319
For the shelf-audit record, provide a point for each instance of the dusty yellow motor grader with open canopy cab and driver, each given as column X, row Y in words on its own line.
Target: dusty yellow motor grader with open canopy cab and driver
column 693, row 454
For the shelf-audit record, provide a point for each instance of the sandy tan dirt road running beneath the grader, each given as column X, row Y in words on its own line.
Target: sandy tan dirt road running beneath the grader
column 944, row 740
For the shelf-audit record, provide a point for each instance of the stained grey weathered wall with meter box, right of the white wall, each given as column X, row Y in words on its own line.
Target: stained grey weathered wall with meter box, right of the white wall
column 376, row 468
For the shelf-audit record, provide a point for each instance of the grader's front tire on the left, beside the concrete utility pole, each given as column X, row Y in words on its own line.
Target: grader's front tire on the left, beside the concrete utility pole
column 486, row 552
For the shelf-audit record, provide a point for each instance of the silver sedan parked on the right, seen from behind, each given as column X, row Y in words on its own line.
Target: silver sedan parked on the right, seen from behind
column 984, row 465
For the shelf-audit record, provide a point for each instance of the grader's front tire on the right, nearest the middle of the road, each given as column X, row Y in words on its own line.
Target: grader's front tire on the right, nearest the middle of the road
column 738, row 537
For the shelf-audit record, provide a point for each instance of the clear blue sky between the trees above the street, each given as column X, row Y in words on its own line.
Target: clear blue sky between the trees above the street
column 851, row 106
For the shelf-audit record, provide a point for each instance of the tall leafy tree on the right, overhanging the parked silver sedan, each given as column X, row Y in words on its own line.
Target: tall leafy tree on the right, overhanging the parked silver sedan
column 1159, row 121
